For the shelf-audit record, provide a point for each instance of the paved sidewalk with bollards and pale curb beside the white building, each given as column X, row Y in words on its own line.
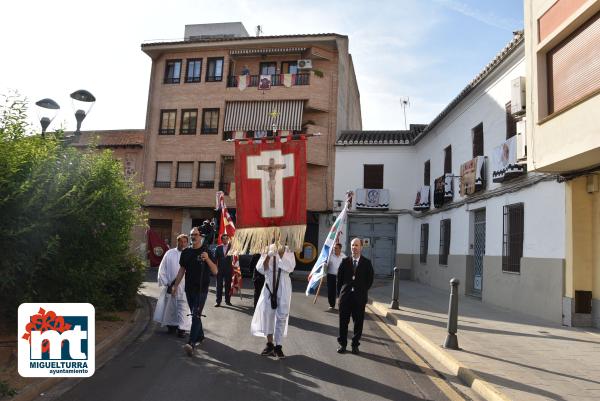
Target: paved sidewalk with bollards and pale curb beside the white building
column 516, row 356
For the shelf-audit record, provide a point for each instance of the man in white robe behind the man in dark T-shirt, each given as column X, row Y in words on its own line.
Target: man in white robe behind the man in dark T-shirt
column 172, row 310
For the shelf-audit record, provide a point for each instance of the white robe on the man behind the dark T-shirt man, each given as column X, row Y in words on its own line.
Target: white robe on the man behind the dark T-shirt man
column 171, row 311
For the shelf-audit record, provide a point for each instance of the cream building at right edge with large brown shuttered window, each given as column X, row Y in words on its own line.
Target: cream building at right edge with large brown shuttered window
column 563, row 135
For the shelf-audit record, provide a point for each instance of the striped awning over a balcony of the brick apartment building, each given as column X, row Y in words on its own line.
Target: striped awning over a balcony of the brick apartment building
column 261, row 115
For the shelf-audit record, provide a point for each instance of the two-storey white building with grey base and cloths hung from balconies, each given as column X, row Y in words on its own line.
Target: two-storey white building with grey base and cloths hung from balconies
column 504, row 241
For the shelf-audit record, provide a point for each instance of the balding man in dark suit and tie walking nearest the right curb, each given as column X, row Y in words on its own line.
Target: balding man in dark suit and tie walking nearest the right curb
column 355, row 277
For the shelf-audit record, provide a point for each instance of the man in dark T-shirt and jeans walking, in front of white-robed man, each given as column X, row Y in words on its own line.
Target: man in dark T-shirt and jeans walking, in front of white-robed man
column 197, row 266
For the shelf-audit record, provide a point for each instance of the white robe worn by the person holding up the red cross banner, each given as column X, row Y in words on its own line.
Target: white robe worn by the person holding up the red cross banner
column 267, row 320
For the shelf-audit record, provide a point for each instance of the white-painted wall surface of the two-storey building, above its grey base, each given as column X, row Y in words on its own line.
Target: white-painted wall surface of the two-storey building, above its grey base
column 403, row 175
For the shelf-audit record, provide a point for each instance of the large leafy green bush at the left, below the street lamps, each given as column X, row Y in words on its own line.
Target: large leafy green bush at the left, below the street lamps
column 65, row 220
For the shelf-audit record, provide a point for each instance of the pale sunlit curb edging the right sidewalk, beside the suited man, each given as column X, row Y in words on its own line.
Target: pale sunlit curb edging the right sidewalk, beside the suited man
column 467, row 376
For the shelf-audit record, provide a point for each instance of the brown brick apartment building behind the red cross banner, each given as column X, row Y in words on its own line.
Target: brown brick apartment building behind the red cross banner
column 220, row 83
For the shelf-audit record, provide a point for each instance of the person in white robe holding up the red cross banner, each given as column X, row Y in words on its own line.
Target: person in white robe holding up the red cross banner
column 276, row 265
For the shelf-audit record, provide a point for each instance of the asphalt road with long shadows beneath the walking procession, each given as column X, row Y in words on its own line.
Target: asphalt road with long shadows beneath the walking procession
column 227, row 366
